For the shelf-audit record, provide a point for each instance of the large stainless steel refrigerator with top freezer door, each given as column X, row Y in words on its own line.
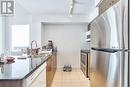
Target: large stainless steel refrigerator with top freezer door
column 109, row 47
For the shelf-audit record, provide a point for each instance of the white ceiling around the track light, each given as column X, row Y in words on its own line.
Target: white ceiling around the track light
column 56, row 7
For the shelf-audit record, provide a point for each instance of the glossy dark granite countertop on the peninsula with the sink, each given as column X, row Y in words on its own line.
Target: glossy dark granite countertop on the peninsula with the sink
column 21, row 68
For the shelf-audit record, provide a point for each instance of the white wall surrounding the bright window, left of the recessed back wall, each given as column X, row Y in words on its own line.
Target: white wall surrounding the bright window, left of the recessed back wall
column 23, row 17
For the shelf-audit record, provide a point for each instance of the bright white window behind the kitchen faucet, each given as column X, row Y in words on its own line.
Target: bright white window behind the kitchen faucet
column 20, row 36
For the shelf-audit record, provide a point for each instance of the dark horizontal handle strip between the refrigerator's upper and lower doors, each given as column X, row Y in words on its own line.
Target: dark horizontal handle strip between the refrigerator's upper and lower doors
column 110, row 50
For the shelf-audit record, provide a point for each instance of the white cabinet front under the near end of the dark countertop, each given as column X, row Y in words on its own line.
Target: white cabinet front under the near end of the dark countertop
column 37, row 78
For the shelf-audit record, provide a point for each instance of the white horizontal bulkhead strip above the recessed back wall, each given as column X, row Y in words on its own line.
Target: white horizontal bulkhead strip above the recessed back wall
column 67, row 18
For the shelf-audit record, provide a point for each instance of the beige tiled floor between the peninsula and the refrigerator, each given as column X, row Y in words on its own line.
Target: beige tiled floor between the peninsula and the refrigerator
column 70, row 79
